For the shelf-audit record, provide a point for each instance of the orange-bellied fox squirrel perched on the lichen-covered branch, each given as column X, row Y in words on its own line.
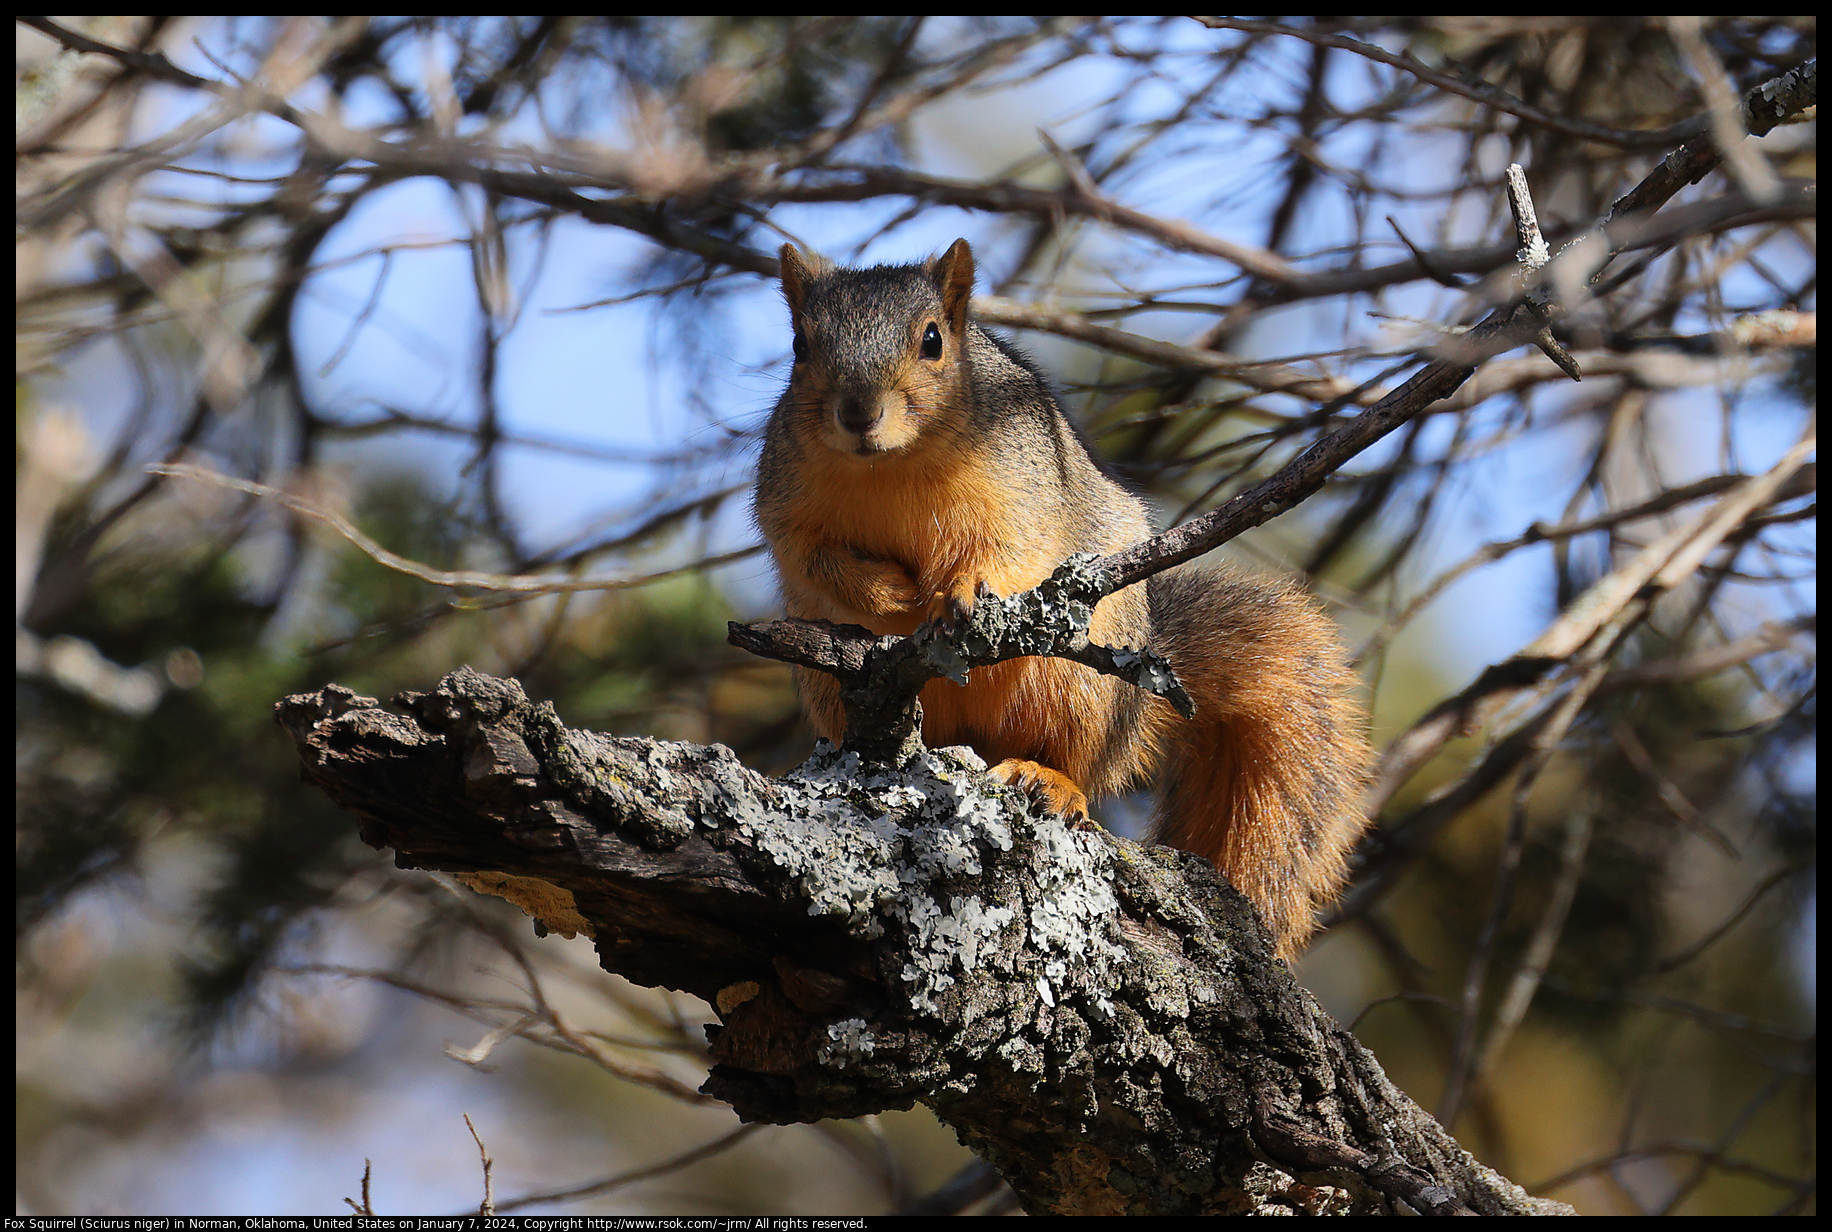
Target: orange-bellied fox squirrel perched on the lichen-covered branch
column 915, row 457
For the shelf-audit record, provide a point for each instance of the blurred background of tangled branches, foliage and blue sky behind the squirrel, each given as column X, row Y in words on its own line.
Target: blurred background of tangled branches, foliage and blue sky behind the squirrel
column 497, row 292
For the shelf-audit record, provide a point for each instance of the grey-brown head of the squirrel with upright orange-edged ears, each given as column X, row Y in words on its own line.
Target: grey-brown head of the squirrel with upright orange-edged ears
column 880, row 355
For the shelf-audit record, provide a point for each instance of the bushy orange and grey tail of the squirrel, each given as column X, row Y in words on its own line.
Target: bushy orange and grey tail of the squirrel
column 1265, row 782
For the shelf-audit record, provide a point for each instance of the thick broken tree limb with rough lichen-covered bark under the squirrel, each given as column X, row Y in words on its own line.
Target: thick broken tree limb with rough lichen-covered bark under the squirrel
column 1106, row 1024
